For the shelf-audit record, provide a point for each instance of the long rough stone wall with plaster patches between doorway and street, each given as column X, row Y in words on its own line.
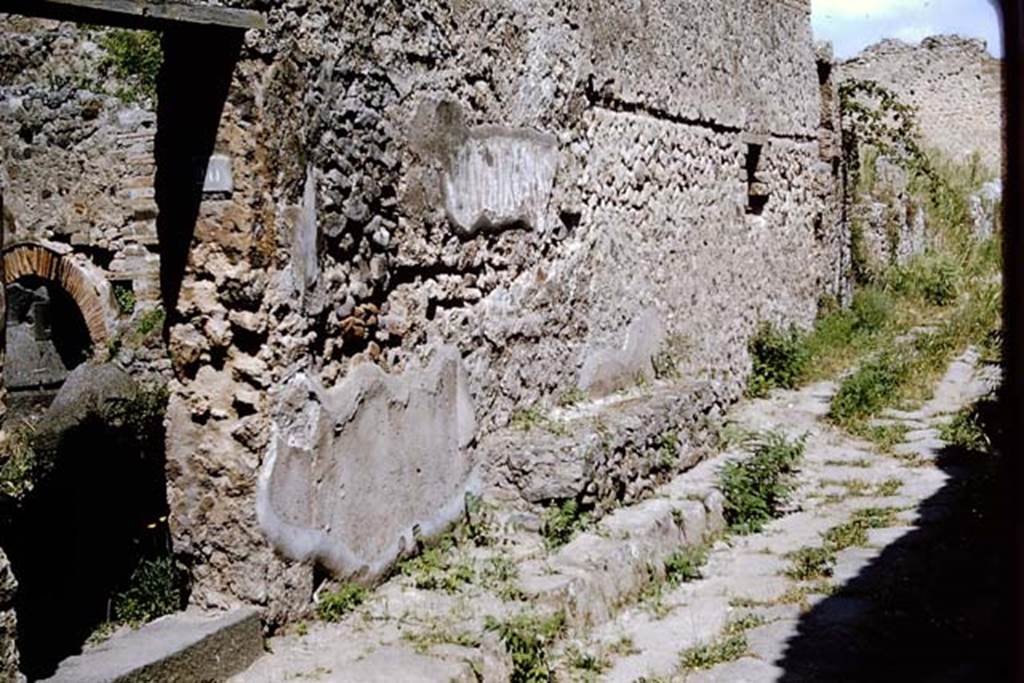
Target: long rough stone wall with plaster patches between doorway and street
column 545, row 196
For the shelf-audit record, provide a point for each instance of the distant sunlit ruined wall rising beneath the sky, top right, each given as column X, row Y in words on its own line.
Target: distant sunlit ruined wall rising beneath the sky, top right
column 955, row 83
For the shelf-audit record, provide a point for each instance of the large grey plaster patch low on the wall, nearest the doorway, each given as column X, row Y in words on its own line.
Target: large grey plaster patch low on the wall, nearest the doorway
column 356, row 474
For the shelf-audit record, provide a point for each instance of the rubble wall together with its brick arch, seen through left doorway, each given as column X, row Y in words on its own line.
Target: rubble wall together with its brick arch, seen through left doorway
column 77, row 173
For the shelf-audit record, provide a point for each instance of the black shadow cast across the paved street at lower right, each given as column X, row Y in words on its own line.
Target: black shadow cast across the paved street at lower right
column 931, row 607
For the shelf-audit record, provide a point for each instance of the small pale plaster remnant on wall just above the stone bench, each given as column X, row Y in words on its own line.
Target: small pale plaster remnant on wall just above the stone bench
column 610, row 370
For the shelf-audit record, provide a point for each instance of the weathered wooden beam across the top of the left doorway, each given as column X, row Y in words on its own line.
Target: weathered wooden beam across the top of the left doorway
column 156, row 15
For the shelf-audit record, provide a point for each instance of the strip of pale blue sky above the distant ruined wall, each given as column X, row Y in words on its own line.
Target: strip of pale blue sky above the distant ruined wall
column 854, row 25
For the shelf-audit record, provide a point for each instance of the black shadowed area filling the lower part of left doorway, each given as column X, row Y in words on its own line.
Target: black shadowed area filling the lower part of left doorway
column 84, row 540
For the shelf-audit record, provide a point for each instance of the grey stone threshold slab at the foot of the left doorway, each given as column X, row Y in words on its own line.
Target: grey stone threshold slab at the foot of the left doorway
column 187, row 647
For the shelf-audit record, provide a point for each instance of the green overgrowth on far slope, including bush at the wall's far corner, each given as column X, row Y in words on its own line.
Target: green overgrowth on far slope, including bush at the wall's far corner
column 952, row 283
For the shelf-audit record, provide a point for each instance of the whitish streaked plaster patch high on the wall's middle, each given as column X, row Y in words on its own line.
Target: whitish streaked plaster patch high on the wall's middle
column 500, row 178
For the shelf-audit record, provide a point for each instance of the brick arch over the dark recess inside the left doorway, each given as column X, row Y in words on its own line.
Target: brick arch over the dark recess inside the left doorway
column 91, row 292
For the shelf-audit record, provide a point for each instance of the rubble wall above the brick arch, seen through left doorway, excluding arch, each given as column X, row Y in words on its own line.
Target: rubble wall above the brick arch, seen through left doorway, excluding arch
column 79, row 163
